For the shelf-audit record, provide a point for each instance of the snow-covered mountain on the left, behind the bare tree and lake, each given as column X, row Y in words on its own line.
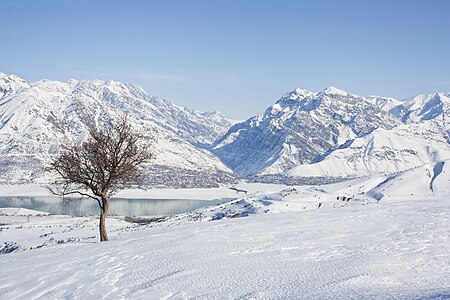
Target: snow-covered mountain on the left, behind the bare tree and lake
column 36, row 119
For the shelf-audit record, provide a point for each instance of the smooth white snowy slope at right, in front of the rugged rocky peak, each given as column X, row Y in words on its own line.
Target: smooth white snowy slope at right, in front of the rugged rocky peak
column 382, row 151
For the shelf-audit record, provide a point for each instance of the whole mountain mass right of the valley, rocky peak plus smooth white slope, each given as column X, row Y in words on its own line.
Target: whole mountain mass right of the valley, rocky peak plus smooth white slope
column 335, row 134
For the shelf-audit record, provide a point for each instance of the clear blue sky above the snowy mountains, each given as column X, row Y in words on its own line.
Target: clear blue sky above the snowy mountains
column 237, row 57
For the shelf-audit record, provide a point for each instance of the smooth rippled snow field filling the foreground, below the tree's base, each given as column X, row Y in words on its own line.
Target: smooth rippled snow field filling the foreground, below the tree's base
column 393, row 250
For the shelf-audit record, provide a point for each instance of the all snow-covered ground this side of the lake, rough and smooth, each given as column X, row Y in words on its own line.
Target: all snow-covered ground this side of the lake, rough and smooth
column 380, row 237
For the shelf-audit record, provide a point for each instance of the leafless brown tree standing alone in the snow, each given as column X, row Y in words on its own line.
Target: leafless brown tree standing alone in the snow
column 105, row 163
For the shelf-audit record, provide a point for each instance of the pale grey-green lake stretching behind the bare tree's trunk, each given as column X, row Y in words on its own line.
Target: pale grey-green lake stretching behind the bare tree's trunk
column 118, row 206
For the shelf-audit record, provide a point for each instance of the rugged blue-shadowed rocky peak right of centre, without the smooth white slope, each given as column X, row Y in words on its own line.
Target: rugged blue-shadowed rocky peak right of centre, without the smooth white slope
column 300, row 128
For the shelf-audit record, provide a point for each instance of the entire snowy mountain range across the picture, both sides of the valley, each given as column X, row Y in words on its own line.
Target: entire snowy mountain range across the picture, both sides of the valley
column 328, row 135
